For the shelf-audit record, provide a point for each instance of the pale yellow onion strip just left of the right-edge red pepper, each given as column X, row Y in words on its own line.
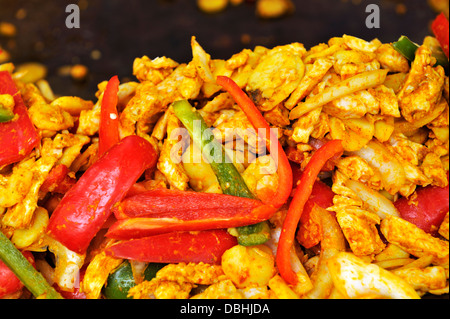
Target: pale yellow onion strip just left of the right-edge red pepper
column 376, row 201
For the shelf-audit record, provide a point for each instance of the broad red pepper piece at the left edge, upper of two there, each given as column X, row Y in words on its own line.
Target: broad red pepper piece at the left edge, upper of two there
column 18, row 137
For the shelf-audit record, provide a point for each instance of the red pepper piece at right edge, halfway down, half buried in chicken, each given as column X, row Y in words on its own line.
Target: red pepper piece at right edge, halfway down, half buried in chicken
column 428, row 208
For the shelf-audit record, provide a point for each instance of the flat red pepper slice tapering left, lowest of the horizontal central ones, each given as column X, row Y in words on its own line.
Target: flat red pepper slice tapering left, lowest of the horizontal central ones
column 205, row 246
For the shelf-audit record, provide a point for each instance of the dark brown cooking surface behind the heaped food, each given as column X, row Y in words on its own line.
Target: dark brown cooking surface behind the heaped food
column 124, row 29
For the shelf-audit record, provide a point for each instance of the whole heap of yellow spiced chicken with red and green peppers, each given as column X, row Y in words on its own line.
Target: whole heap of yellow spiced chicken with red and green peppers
column 281, row 172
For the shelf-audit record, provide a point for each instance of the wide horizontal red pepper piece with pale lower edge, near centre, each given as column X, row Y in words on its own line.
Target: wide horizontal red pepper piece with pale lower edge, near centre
column 161, row 211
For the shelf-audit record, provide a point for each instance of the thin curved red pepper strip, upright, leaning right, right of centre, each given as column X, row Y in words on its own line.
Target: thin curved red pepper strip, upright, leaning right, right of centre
column 301, row 196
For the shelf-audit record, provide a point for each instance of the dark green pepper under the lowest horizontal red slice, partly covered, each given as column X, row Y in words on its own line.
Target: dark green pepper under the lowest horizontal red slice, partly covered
column 121, row 280
